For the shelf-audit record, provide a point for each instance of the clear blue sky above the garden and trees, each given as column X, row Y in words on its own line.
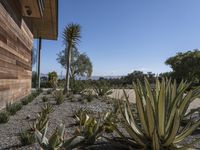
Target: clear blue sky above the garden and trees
column 120, row 36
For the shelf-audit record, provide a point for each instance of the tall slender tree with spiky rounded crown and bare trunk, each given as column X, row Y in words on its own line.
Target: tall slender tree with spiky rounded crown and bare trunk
column 71, row 37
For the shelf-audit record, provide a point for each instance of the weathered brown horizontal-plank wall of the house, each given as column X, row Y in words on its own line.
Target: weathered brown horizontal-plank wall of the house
column 15, row 54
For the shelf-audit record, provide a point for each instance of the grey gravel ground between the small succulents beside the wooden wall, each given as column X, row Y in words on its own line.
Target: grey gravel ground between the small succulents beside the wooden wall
column 62, row 113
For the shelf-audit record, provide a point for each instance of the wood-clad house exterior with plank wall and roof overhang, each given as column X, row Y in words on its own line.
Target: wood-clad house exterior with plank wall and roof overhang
column 22, row 21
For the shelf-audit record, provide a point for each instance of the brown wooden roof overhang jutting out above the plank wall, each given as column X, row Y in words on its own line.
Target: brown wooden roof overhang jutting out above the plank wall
column 43, row 19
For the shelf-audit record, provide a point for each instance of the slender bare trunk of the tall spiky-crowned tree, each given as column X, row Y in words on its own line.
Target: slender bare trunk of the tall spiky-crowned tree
column 67, row 80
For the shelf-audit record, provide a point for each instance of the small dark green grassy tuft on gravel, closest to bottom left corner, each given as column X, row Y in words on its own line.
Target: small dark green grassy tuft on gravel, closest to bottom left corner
column 27, row 137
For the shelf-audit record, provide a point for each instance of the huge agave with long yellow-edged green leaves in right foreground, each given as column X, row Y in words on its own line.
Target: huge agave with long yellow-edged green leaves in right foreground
column 160, row 113
